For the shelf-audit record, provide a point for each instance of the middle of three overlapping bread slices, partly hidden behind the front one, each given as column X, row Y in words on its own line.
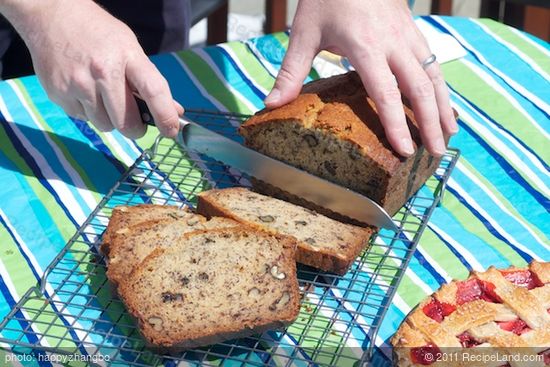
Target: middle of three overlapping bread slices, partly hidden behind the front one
column 130, row 245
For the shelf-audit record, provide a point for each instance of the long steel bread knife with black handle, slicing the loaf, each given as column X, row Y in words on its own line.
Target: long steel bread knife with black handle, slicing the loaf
column 317, row 190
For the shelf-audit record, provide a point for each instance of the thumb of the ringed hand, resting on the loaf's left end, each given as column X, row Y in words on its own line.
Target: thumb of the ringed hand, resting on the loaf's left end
column 294, row 70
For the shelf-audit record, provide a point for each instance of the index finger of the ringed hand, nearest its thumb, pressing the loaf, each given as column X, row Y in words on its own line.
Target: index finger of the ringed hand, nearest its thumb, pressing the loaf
column 382, row 88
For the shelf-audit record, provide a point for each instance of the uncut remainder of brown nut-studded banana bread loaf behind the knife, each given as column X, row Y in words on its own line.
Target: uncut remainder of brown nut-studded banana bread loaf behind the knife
column 332, row 130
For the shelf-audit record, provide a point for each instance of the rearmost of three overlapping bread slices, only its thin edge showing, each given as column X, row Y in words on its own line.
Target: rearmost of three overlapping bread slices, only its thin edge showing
column 125, row 216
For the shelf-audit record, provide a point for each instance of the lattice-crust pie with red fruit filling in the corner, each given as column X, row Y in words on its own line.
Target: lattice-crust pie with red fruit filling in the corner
column 506, row 310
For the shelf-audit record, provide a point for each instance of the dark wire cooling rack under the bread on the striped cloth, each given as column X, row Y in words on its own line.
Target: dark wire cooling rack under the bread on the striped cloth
column 73, row 315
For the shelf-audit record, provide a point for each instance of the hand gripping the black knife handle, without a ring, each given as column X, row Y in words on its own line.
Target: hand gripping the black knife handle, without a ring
column 90, row 63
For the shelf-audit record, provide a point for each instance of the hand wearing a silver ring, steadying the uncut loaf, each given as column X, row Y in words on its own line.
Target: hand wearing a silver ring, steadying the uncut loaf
column 382, row 42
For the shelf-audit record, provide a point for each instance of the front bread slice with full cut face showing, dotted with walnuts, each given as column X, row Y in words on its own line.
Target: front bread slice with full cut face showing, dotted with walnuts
column 214, row 285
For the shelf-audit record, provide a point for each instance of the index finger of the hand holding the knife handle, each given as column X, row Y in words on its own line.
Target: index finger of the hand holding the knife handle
column 144, row 78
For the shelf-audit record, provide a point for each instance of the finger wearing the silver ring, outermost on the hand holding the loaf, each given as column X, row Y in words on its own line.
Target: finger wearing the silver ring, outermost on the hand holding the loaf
column 446, row 115
